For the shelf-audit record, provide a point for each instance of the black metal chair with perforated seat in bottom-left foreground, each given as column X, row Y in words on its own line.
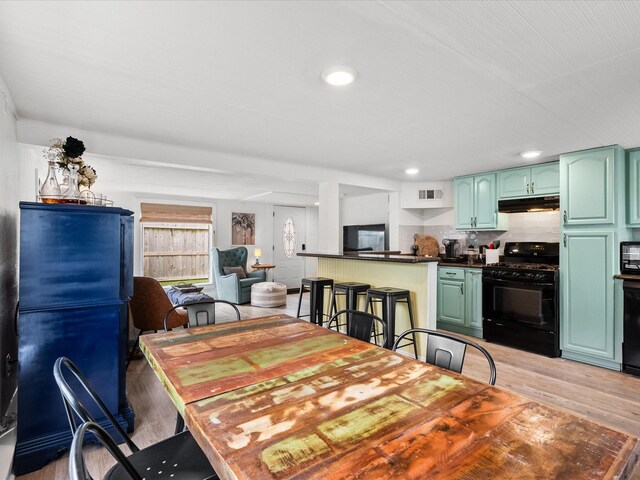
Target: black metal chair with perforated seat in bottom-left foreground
column 180, row 450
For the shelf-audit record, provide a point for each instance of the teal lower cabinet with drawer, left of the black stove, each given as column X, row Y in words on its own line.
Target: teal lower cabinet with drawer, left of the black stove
column 460, row 300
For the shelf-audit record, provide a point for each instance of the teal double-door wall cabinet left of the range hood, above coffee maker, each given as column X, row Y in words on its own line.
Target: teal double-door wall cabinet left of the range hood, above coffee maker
column 476, row 203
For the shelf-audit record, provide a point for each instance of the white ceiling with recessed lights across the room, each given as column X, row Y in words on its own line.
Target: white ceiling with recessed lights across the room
column 450, row 87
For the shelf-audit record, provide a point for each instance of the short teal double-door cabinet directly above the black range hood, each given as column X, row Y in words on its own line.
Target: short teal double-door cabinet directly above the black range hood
column 536, row 181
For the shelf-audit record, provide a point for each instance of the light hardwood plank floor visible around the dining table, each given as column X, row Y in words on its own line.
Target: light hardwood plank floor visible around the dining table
column 607, row 397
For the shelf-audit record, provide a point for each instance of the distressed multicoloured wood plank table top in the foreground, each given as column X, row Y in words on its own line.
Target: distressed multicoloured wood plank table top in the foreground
column 277, row 398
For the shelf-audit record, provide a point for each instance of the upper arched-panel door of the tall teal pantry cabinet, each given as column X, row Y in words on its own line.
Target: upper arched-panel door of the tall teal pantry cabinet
column 587, row 187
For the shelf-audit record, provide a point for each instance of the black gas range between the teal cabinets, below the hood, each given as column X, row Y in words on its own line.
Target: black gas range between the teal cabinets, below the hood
column 520, row 298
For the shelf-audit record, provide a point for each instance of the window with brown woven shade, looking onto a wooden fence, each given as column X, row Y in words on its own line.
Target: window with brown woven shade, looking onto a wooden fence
column 176, row 240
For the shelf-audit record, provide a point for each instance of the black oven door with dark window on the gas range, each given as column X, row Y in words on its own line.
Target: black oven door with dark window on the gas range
column 520, row 303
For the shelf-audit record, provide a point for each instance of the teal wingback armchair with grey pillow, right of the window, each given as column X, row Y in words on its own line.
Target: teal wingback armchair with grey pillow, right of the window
column 231, row 287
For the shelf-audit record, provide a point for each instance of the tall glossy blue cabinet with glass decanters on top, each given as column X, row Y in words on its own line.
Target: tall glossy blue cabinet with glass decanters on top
column 76, row 278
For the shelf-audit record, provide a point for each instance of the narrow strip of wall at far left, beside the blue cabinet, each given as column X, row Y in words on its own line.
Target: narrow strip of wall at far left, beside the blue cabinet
column 9, row 215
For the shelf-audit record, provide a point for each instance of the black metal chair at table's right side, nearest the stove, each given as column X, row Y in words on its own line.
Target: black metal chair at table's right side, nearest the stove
column 448, row 351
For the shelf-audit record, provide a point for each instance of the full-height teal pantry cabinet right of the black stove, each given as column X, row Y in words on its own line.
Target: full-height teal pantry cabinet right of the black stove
column 592, row 200
